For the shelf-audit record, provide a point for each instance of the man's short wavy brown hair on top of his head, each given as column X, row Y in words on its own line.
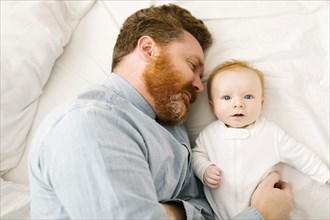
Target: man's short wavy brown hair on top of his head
column 162, row 23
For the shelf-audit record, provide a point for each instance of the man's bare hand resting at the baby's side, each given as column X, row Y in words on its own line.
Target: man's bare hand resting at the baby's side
column 273, row 198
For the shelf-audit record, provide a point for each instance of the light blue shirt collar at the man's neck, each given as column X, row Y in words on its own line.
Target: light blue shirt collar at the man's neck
column 126, row 90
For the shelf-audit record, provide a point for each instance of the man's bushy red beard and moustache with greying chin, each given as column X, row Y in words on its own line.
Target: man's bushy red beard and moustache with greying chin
column 167, row 86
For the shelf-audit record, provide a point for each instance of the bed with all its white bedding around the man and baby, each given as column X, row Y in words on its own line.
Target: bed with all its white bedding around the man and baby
column 53, row 50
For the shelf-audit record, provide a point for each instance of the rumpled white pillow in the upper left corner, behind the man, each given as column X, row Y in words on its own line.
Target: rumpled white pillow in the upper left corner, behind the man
column 33, row 34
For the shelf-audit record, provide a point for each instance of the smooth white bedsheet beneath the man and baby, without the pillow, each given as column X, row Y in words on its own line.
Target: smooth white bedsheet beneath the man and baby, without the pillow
column 287, row 40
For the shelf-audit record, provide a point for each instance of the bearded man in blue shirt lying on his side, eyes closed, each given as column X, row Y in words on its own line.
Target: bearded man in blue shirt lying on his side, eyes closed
column 120, row 151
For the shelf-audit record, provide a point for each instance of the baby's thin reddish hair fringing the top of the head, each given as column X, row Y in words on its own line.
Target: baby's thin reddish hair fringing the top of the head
column 232, row 64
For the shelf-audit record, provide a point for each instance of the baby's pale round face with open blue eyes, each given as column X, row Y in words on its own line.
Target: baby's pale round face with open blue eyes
column 237, row 97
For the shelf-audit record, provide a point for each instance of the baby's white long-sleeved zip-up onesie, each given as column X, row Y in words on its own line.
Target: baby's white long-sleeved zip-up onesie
column 245, row 156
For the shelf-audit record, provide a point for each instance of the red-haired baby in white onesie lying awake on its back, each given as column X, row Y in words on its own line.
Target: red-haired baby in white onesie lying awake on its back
column 241, row 147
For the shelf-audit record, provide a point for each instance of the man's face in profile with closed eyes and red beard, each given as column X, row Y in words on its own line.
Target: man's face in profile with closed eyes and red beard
column 173, row 78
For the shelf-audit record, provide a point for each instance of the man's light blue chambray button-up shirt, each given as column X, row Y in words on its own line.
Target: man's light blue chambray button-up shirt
column 103, row 155
